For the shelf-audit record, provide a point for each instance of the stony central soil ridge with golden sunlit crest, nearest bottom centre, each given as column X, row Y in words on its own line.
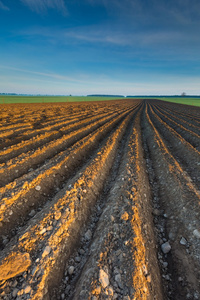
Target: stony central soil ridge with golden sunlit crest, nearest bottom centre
column 121, row 262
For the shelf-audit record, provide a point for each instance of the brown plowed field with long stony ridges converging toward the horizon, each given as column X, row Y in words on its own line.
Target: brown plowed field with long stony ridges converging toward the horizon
column 100, row 201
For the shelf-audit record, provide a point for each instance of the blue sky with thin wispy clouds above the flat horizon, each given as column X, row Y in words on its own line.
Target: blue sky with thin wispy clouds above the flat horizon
column 81, row 47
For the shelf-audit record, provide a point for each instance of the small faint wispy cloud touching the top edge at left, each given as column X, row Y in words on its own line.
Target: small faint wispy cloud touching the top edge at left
column 41, row 6
